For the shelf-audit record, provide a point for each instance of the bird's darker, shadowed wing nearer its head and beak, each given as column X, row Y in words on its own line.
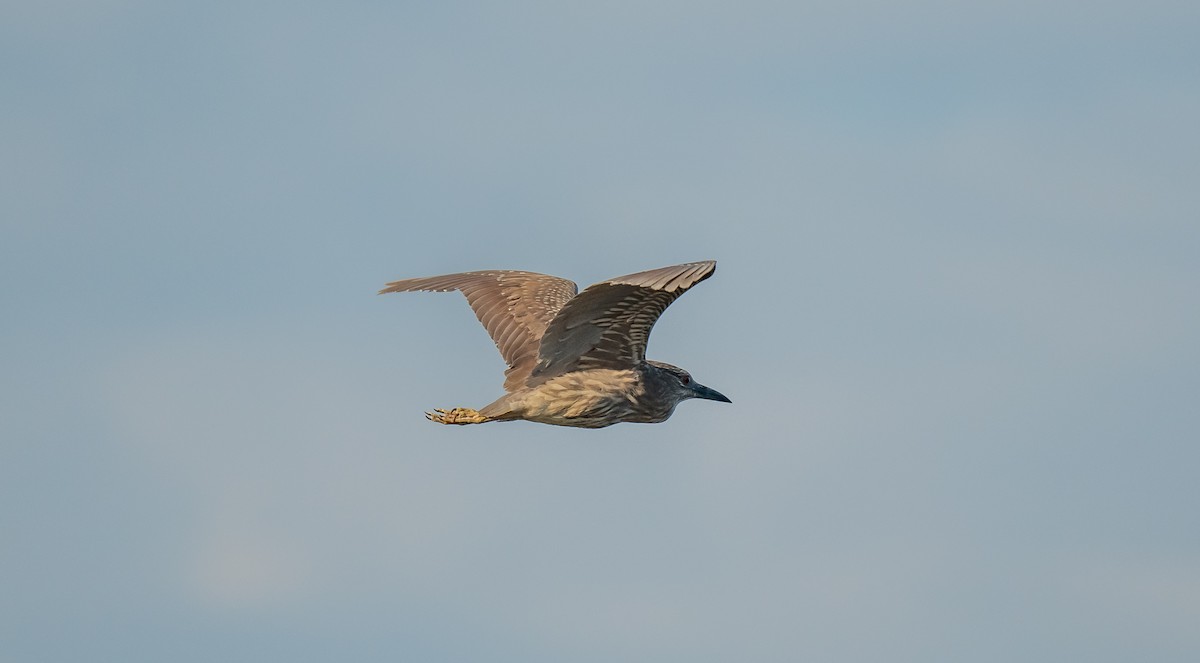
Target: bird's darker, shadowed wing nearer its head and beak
column 608, row 325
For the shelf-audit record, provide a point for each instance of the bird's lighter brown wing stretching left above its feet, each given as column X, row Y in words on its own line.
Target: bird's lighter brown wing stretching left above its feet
column 514, row 307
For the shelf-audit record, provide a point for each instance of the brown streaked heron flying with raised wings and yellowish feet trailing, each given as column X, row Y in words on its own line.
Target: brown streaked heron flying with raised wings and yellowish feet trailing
column 575, row 359
